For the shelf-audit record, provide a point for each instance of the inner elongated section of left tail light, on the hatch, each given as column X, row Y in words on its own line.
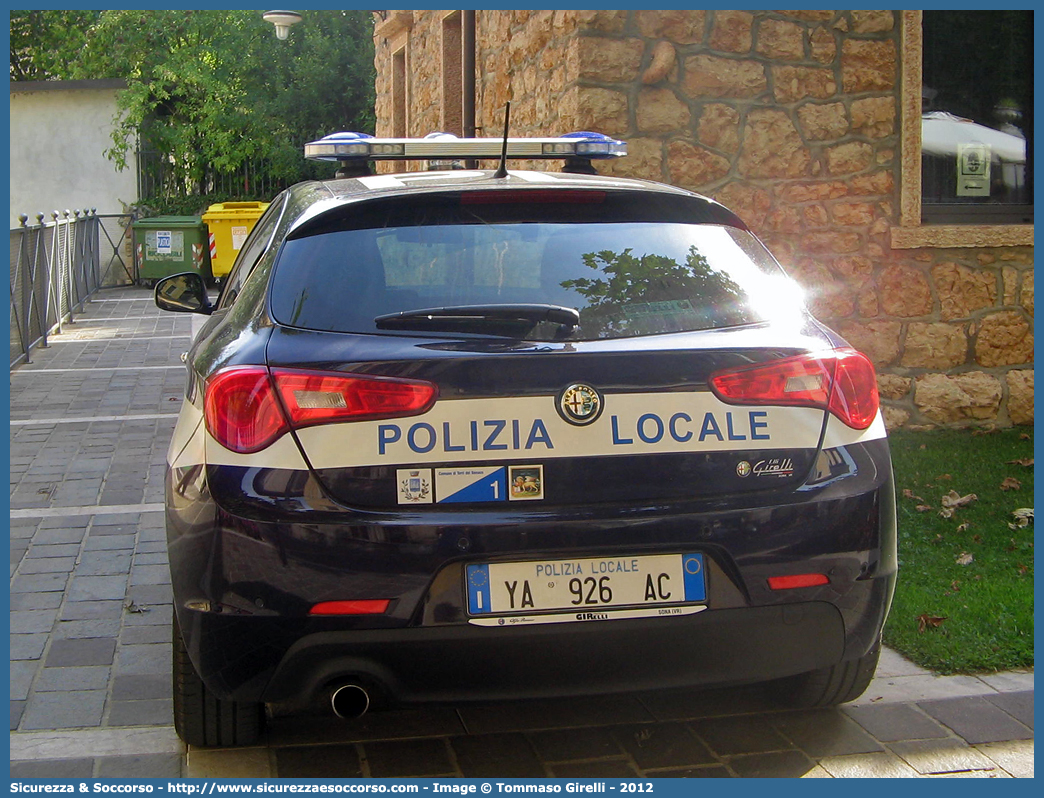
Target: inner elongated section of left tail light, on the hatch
column 320, row 397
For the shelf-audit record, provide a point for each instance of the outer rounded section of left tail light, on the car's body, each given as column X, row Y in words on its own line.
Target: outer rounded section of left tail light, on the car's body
column 242, row 410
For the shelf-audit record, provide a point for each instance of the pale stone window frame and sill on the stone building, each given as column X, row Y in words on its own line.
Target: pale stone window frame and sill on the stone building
column 914, row 232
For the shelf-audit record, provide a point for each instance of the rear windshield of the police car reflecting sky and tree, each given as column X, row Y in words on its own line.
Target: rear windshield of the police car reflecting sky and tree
column 626, row 274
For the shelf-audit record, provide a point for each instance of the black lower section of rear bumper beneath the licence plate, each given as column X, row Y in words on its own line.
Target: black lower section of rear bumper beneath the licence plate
column 465, row 663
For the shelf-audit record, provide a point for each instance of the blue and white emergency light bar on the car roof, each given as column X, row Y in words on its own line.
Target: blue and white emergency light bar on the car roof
column 351, row 147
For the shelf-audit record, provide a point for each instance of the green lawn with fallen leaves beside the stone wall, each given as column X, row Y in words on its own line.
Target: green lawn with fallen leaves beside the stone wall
column 965, row 598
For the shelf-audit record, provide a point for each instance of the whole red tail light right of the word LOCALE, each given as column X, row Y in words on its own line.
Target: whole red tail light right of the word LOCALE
column 842, row 382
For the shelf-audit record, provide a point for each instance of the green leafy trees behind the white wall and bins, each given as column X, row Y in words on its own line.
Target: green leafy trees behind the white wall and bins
column 212, row 91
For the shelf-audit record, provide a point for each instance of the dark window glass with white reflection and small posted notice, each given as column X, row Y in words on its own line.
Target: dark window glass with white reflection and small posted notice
column 978, row 118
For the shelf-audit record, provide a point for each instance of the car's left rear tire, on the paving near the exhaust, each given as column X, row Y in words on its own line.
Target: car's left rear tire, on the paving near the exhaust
column 203, row 719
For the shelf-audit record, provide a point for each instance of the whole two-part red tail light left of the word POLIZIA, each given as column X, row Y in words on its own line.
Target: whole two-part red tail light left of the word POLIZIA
column 248, row 408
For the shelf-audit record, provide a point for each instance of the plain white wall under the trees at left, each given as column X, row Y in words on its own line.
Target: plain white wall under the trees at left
column 59, row 134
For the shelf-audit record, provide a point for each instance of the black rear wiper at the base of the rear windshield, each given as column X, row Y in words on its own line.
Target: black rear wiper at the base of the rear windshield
column 515, row 320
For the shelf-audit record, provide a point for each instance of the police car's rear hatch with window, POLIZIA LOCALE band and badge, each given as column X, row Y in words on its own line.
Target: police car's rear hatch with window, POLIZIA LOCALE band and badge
column 549, row 347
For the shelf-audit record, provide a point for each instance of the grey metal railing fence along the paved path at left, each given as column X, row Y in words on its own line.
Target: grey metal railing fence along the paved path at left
column 57, row 266
